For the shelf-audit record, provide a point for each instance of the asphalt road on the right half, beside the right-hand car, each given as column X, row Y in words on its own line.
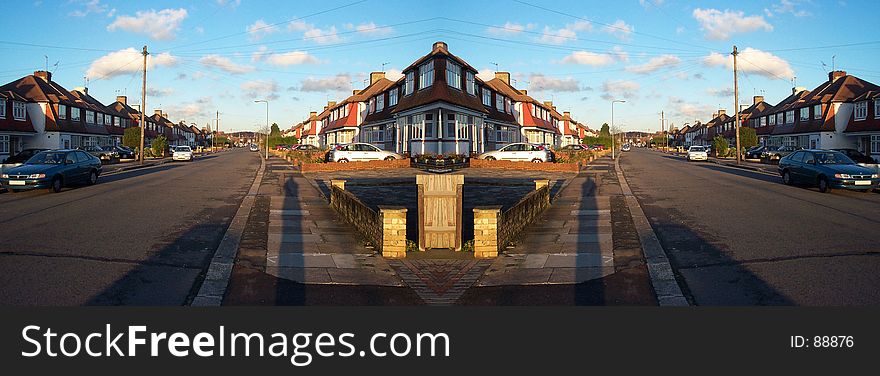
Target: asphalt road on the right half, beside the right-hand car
column 738, row 237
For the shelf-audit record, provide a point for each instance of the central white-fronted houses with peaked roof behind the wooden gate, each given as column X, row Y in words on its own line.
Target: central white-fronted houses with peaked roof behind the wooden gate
column 440, row 106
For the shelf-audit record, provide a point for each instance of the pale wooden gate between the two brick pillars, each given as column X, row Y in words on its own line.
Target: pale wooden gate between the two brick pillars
column 440, row 211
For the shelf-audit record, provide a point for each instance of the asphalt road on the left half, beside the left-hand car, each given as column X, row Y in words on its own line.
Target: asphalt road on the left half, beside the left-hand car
column 140, row 237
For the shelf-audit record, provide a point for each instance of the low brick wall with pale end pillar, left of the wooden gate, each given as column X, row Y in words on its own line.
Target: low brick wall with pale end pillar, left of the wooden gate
column 385, row 230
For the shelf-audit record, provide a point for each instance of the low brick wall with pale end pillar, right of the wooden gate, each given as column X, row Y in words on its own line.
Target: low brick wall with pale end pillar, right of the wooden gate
column 494, row 229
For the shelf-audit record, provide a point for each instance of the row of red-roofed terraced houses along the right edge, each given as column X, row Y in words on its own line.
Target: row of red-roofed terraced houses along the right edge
column 843, row 112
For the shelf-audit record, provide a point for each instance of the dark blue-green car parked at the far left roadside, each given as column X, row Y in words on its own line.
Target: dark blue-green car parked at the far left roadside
column 53, row 169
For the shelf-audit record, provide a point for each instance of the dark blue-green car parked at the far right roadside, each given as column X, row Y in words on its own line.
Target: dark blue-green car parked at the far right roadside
column 826, row 169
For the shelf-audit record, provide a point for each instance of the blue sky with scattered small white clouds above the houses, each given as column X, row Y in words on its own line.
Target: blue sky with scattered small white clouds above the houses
column 657, row 55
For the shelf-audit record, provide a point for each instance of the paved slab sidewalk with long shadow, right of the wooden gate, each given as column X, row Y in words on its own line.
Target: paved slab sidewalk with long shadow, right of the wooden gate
column 571, row 243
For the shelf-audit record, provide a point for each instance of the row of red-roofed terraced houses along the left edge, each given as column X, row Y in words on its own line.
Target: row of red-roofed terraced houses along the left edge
column 36, row 112
